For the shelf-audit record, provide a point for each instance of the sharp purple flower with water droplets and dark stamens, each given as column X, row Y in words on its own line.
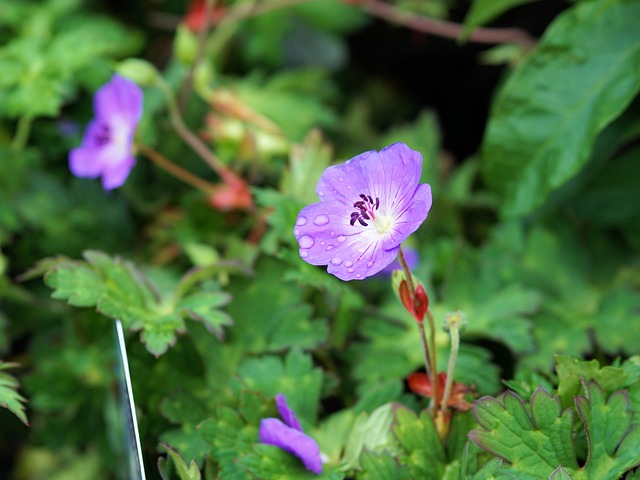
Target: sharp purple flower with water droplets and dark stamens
column 368, row 206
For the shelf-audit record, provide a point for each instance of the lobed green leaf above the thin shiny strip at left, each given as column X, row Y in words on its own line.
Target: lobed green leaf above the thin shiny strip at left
column 119, row 290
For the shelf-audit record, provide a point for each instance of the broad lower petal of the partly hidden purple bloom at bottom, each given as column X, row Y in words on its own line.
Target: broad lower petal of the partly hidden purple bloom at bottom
column 274, row 432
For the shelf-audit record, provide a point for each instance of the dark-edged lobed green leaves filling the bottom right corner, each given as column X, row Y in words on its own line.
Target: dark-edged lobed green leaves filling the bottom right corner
column 540, row 439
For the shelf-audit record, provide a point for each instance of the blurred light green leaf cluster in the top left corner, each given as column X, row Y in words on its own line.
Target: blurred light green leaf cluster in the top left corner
column 58, row 44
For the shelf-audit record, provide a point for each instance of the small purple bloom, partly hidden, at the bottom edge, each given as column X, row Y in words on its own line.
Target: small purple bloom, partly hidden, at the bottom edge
column 290, row 437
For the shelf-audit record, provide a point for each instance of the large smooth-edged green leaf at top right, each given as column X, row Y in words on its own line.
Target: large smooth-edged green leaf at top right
column 549, row 112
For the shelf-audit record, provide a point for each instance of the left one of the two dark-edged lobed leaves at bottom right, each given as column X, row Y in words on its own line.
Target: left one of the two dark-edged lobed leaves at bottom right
column 534, row 443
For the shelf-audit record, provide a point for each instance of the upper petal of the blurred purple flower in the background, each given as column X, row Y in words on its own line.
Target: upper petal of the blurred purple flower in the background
column 119, row 101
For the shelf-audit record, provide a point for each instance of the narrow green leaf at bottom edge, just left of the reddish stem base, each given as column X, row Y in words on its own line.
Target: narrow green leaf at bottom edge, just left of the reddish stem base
column 422, row 450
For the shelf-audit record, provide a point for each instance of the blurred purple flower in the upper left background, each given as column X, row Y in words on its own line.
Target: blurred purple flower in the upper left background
column 106, row 149
